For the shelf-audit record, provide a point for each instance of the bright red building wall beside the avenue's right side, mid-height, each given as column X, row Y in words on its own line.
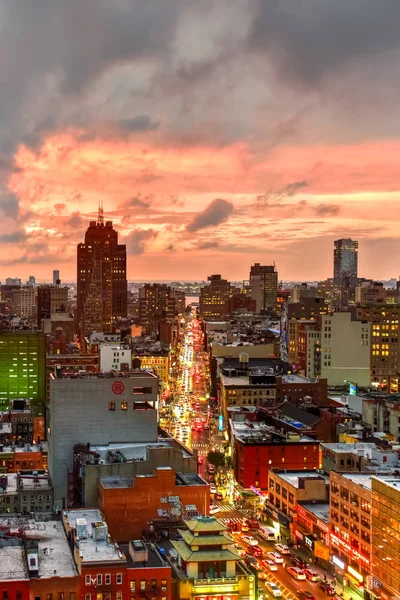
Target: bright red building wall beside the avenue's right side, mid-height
column 254, row 462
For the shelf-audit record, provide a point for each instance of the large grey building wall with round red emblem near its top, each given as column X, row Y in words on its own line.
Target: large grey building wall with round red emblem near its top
column 81, row 411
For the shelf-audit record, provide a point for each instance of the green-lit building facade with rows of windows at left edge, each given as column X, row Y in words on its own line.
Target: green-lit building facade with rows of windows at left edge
column 22, row 368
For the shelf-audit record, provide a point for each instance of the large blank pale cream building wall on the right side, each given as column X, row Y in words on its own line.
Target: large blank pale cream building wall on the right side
column 345, row 350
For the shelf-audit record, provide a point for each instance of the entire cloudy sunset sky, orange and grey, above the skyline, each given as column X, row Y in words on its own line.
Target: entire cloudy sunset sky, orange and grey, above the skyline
column 217, row 134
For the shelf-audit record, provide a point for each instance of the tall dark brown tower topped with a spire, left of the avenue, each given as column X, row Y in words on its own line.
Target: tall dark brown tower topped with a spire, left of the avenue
column 102, row 285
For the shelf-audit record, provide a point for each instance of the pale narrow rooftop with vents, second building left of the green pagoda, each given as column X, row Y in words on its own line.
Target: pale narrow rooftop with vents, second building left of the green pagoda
column 92, row 537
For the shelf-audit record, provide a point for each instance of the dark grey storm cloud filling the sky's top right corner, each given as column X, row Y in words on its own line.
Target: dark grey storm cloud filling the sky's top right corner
column 307, row 40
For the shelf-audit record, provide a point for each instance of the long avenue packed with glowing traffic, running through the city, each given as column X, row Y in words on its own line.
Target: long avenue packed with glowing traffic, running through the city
column 192, row 418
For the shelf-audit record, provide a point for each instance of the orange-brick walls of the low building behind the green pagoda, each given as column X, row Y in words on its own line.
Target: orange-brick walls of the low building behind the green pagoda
column 128, row 510
